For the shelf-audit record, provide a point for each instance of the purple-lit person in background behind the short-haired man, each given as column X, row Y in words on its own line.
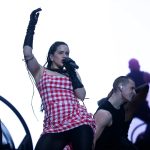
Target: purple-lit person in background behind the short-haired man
column 140, row 108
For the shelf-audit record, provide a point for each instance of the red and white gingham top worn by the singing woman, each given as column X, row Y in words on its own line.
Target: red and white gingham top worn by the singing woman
column 62, row 110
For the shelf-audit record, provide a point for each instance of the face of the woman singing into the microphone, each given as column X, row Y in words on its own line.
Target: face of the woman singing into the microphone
column 58, row 56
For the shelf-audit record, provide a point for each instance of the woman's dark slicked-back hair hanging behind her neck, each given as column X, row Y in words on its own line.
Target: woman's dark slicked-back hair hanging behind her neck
column 52, row 50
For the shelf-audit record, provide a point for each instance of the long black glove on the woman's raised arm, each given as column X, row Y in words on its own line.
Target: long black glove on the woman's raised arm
column 31, row 27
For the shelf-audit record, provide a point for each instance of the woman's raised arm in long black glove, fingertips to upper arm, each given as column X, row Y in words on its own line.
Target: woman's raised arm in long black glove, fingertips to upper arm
column 30, row 60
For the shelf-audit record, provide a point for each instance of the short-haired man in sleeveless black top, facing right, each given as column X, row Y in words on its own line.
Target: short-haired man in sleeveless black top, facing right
column 110, row 115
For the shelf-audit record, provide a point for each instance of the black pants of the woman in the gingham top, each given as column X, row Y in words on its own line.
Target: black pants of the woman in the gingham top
column 81, row 138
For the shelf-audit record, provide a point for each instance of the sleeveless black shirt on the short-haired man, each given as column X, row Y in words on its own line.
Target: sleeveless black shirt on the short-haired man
column 110, row 139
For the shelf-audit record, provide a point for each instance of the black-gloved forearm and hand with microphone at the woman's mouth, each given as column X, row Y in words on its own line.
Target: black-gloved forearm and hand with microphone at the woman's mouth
column 70, row 66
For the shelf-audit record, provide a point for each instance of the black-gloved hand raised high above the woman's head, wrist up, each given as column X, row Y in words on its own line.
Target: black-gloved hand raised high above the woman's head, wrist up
column 34, row 16
